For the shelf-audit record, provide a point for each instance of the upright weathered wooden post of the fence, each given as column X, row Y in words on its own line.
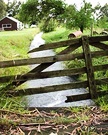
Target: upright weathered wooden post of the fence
column 89, row 67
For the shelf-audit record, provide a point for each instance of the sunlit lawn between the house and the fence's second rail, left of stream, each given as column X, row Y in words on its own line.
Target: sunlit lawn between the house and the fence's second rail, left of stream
column 15, row 44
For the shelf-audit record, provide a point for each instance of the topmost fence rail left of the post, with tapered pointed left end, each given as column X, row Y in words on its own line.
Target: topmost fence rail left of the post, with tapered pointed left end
column 72, row 42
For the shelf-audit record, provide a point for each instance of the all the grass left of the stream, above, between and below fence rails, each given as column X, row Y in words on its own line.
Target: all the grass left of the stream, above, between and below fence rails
column 14, row 45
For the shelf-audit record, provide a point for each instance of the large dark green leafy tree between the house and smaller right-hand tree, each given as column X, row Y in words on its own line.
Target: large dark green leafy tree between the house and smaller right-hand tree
column 35, row 11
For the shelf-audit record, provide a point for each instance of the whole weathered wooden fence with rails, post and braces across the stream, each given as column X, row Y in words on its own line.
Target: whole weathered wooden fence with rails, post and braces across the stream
column 67, row 54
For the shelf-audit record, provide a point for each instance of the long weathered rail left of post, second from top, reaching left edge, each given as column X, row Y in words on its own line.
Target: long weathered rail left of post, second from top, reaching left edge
column 40, row 60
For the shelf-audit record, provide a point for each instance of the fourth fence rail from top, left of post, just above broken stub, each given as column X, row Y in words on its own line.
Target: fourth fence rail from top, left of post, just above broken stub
column 47, row 89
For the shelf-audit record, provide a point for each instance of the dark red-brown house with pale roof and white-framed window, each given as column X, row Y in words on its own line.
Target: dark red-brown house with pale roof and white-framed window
column 10, row 23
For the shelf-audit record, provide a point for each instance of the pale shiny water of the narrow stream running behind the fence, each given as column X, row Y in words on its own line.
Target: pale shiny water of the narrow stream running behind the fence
column 52, row 99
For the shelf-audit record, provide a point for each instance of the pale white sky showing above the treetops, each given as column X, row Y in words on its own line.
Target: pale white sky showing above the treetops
column 78, row 2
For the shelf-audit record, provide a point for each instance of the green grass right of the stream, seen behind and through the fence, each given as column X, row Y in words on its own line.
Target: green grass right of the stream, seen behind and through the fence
column 62, row 34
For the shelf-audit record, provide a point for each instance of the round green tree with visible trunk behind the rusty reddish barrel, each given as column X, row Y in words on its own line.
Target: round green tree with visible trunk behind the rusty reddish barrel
column 79, row 18
